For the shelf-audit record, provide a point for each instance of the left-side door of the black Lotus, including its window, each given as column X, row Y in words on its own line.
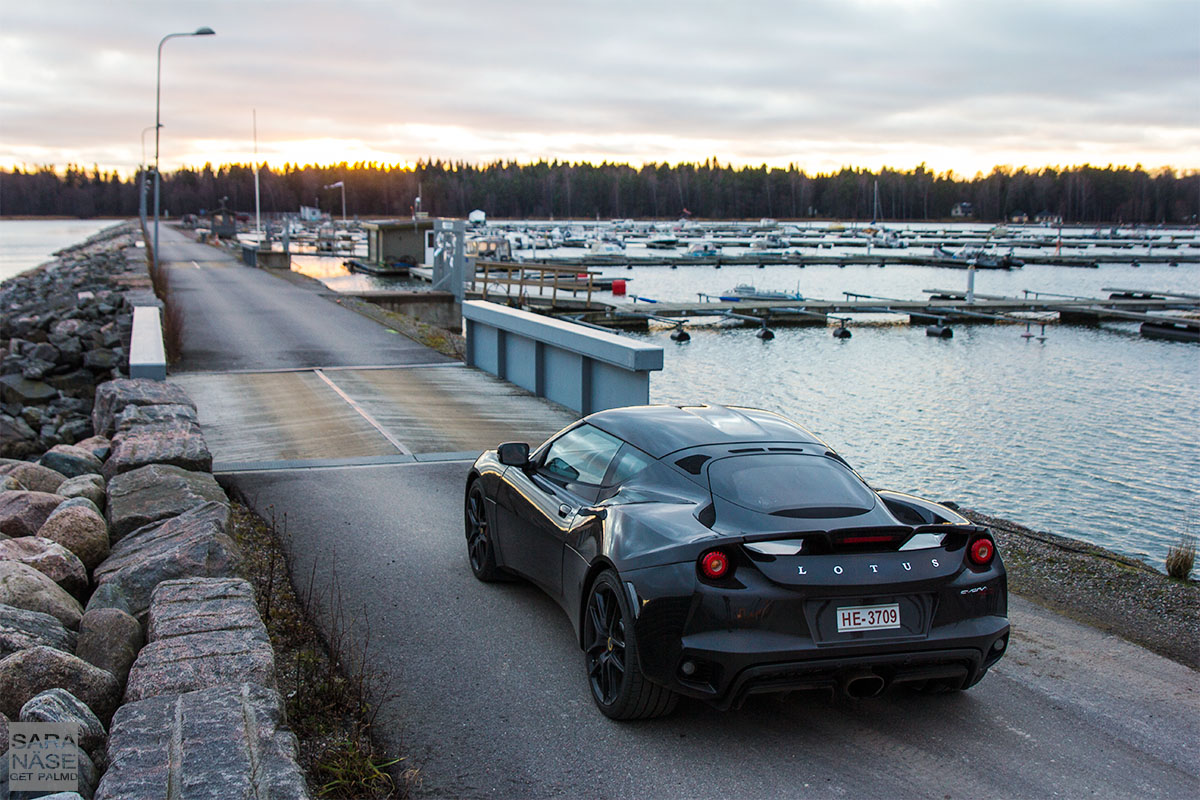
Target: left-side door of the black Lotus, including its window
column 547, row 500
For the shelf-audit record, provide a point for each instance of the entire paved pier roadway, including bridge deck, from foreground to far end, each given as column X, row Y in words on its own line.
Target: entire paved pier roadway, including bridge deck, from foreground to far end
column 484, row 688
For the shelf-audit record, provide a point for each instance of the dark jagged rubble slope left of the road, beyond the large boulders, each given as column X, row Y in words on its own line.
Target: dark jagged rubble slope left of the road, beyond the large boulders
column 65, row 328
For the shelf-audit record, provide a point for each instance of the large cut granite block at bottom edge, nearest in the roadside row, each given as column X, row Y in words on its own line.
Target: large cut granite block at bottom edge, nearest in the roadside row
column 233, row 744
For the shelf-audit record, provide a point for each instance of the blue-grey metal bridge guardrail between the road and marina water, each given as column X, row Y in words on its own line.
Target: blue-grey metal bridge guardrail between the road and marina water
column 581, row 369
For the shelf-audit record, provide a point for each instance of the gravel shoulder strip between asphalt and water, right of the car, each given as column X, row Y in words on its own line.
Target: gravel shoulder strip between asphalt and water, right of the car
column 1107, row 591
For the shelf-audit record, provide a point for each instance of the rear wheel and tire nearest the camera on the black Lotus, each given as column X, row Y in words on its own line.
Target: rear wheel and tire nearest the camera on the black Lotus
column 610, row 651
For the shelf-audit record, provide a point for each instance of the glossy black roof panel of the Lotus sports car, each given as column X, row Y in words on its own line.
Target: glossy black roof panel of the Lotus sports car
column 664, row 430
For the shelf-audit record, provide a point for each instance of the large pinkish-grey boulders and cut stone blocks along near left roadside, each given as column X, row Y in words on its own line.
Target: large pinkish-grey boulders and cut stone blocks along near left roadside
column 122, row 611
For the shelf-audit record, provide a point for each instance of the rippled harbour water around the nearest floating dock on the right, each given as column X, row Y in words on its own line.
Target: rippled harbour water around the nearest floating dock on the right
column 1091, row 434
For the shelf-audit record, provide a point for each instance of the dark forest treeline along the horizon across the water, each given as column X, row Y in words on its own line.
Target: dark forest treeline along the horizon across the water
column 556, row 190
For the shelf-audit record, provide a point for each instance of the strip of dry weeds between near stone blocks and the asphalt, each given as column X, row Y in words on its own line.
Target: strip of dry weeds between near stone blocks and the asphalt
column 331, row 694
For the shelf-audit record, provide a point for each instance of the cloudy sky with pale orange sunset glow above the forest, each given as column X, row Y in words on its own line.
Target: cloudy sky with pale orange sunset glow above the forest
column 958, row 86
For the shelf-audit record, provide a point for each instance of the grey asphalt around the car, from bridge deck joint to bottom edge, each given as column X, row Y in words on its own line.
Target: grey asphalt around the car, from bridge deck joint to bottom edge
column 488, row 693
